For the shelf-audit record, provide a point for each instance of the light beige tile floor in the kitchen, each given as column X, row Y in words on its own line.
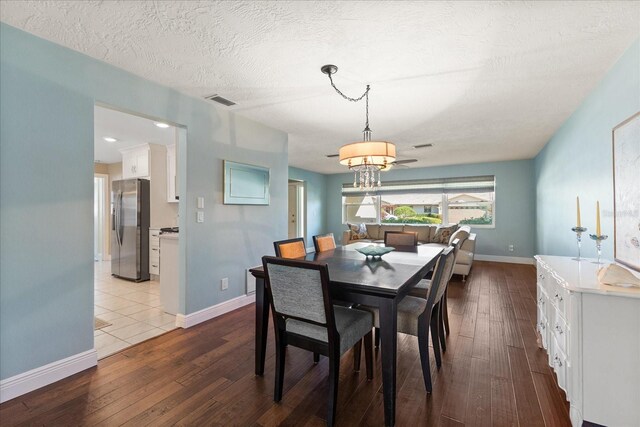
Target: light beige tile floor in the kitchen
column 133, row 309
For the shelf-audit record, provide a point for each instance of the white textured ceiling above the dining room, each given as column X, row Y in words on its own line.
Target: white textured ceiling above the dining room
column 482, row 81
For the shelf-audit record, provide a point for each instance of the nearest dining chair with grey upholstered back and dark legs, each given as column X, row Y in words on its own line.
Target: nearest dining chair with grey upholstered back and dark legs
column 305, row 317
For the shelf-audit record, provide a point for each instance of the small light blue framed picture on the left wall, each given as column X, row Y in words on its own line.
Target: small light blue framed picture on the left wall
column 245, row 184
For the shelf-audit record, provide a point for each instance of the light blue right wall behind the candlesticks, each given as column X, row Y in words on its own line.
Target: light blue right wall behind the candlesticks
column 577, row 161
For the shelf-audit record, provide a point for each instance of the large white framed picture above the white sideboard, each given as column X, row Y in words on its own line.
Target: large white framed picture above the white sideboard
column 626, row 192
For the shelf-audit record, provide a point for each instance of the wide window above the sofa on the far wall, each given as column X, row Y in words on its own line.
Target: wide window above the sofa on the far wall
column 468, row 200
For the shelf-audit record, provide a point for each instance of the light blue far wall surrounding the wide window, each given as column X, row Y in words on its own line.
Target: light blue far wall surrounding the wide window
column 515, row 203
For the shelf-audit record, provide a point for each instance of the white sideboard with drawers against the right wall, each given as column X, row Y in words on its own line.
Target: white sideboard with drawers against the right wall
column 592, row 336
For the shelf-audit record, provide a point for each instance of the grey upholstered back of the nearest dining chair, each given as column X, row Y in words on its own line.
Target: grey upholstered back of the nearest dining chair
column 299, row 290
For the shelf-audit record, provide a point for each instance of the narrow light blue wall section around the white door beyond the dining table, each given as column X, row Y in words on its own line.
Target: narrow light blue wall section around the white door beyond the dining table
column 316, row 187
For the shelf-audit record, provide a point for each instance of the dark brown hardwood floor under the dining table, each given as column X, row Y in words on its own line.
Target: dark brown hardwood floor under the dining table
column 493, row 374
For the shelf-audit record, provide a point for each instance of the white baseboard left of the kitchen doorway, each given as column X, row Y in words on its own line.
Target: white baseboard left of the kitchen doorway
column 44, row 375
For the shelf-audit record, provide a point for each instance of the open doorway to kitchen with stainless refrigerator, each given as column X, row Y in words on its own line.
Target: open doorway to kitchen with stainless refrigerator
column 146, row 156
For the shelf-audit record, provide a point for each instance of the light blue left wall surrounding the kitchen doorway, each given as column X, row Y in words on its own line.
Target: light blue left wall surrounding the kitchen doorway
column 47, row 94
